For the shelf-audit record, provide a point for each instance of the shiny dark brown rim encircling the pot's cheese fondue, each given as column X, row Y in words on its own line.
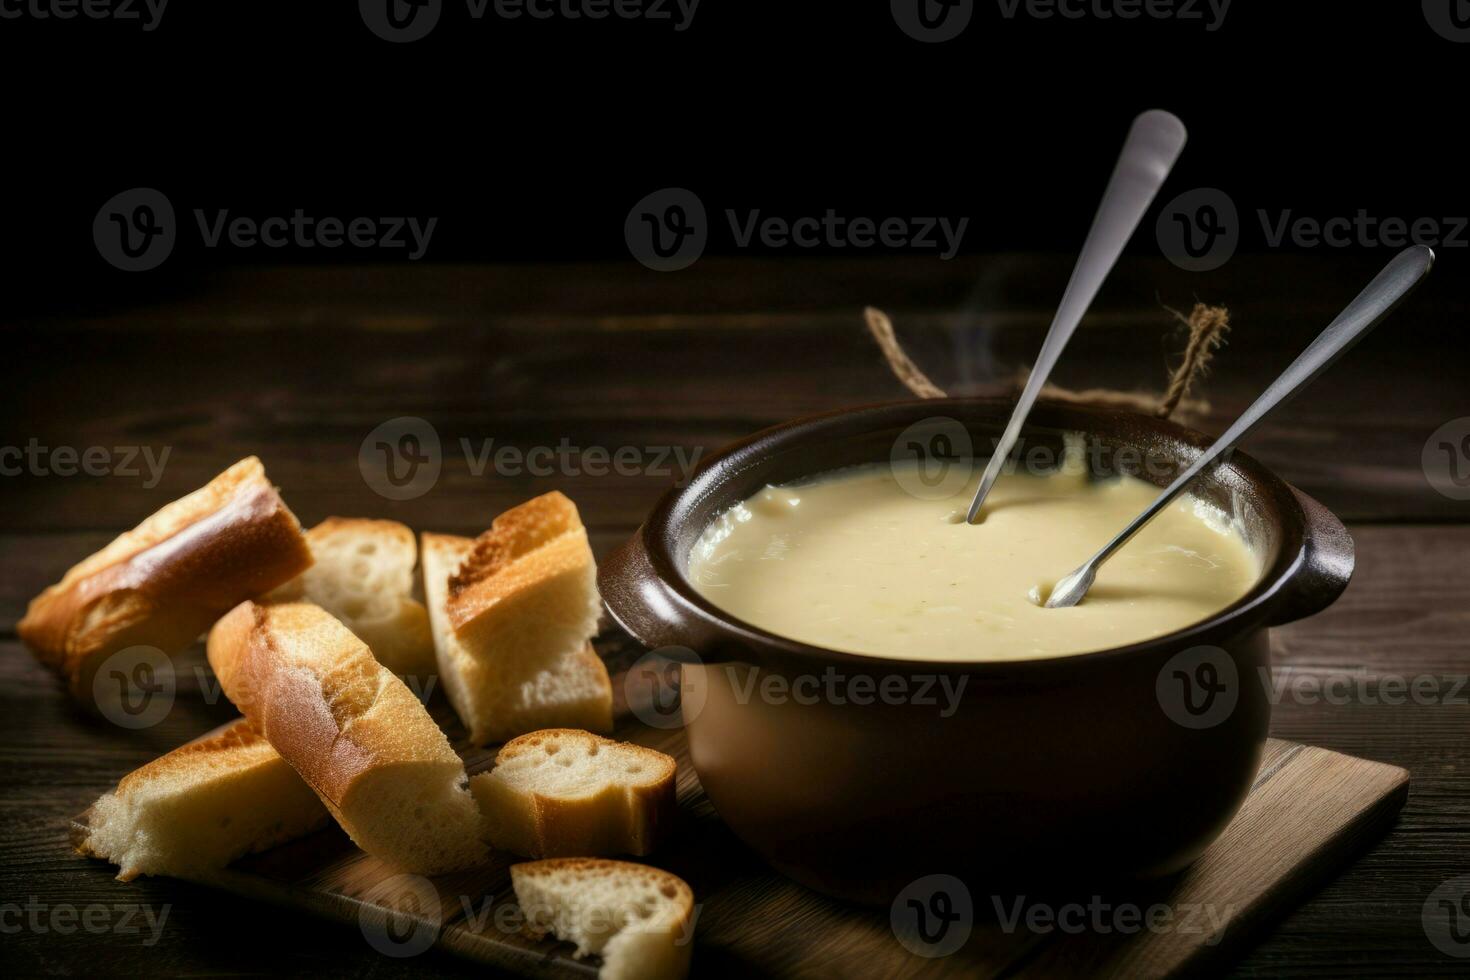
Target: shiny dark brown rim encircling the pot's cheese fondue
column 758, row 644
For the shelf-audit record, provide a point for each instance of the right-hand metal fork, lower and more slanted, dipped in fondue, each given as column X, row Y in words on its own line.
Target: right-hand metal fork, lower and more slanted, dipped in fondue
column 1360, row 317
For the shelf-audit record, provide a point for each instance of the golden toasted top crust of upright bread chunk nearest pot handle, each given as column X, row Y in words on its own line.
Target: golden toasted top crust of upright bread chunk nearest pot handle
column 548, row 530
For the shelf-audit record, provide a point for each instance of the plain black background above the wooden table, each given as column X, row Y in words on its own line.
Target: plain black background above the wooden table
column 531, row 140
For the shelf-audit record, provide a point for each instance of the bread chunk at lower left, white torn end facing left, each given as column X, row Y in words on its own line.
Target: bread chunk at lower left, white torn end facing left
column 198, row 809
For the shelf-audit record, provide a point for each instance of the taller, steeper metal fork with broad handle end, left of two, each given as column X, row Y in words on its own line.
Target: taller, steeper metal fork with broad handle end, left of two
column 1153, row 145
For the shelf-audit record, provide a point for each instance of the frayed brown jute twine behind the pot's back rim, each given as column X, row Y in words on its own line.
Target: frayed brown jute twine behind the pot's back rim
column 1208, row 328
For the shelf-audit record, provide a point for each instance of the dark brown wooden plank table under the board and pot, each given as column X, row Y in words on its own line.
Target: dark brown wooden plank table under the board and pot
column 299, row 367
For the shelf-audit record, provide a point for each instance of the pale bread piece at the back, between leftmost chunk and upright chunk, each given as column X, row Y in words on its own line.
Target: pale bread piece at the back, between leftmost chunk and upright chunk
column 364, row 577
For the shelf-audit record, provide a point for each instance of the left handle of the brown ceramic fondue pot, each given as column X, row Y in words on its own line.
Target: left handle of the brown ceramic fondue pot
column 649, row 610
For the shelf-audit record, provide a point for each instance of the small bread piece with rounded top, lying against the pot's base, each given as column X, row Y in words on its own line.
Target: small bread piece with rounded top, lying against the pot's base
column 565, row 794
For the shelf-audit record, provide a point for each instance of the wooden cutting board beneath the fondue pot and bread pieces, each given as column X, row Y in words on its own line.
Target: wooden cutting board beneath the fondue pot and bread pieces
column 1308, row 815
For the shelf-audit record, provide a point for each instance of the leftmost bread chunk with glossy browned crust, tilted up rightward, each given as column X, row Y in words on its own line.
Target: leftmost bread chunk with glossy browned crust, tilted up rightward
column 164, row 583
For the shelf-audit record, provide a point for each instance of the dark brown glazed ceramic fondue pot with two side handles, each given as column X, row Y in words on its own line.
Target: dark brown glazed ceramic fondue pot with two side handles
column 1124, row 762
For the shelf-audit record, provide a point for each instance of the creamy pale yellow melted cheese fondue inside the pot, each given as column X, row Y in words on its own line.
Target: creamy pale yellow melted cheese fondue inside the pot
column 855, row 562
